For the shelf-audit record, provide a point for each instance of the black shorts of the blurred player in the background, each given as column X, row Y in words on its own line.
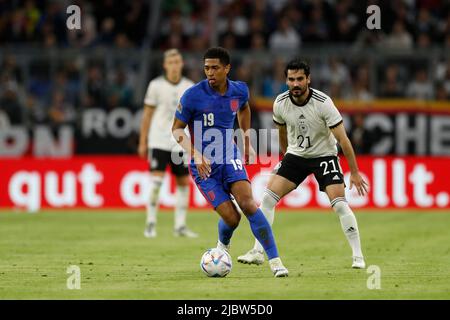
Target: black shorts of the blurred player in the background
column 158, row 160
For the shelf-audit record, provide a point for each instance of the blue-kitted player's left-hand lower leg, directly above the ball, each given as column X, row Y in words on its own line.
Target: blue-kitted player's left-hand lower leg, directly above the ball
column 228, row 222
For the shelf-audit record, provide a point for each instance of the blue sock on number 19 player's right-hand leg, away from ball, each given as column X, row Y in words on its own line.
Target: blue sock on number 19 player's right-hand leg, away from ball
column 263, row 233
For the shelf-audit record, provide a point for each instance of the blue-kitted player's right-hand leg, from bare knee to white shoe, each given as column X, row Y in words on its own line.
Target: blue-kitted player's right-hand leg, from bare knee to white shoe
column 259, row 225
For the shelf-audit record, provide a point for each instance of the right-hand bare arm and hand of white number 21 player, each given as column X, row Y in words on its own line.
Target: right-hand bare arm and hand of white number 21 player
column 355, row 178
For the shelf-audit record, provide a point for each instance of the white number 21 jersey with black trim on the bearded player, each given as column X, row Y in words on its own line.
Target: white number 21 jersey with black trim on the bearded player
column 308, row 125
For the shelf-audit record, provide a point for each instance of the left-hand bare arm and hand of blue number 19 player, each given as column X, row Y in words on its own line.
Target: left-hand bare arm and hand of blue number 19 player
column 202, row 163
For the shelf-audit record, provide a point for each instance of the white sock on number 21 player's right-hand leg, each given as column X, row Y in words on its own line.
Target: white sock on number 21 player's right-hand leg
column 348, row 223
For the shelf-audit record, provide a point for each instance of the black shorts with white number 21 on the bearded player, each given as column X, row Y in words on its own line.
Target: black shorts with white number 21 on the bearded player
column 326, row 170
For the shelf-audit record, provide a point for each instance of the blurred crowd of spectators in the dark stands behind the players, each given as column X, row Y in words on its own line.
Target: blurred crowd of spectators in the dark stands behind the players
column 35, row 92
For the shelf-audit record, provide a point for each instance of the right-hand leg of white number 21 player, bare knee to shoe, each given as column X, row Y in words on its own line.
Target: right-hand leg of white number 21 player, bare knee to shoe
column 349, row 225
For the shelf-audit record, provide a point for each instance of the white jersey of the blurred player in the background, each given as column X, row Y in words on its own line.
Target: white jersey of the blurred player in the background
column 164, row 96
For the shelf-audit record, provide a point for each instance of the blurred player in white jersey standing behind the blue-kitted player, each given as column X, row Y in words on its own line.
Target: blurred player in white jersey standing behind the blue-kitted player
column 161, row 100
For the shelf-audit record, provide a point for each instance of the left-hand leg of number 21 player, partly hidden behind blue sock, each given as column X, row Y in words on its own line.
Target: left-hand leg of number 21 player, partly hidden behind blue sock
column 277, row 187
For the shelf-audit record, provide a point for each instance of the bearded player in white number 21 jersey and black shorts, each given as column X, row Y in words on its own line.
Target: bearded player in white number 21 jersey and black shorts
column 309, row 126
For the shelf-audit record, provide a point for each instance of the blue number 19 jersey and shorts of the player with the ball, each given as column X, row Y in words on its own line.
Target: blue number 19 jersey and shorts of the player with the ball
column 210, row 118
